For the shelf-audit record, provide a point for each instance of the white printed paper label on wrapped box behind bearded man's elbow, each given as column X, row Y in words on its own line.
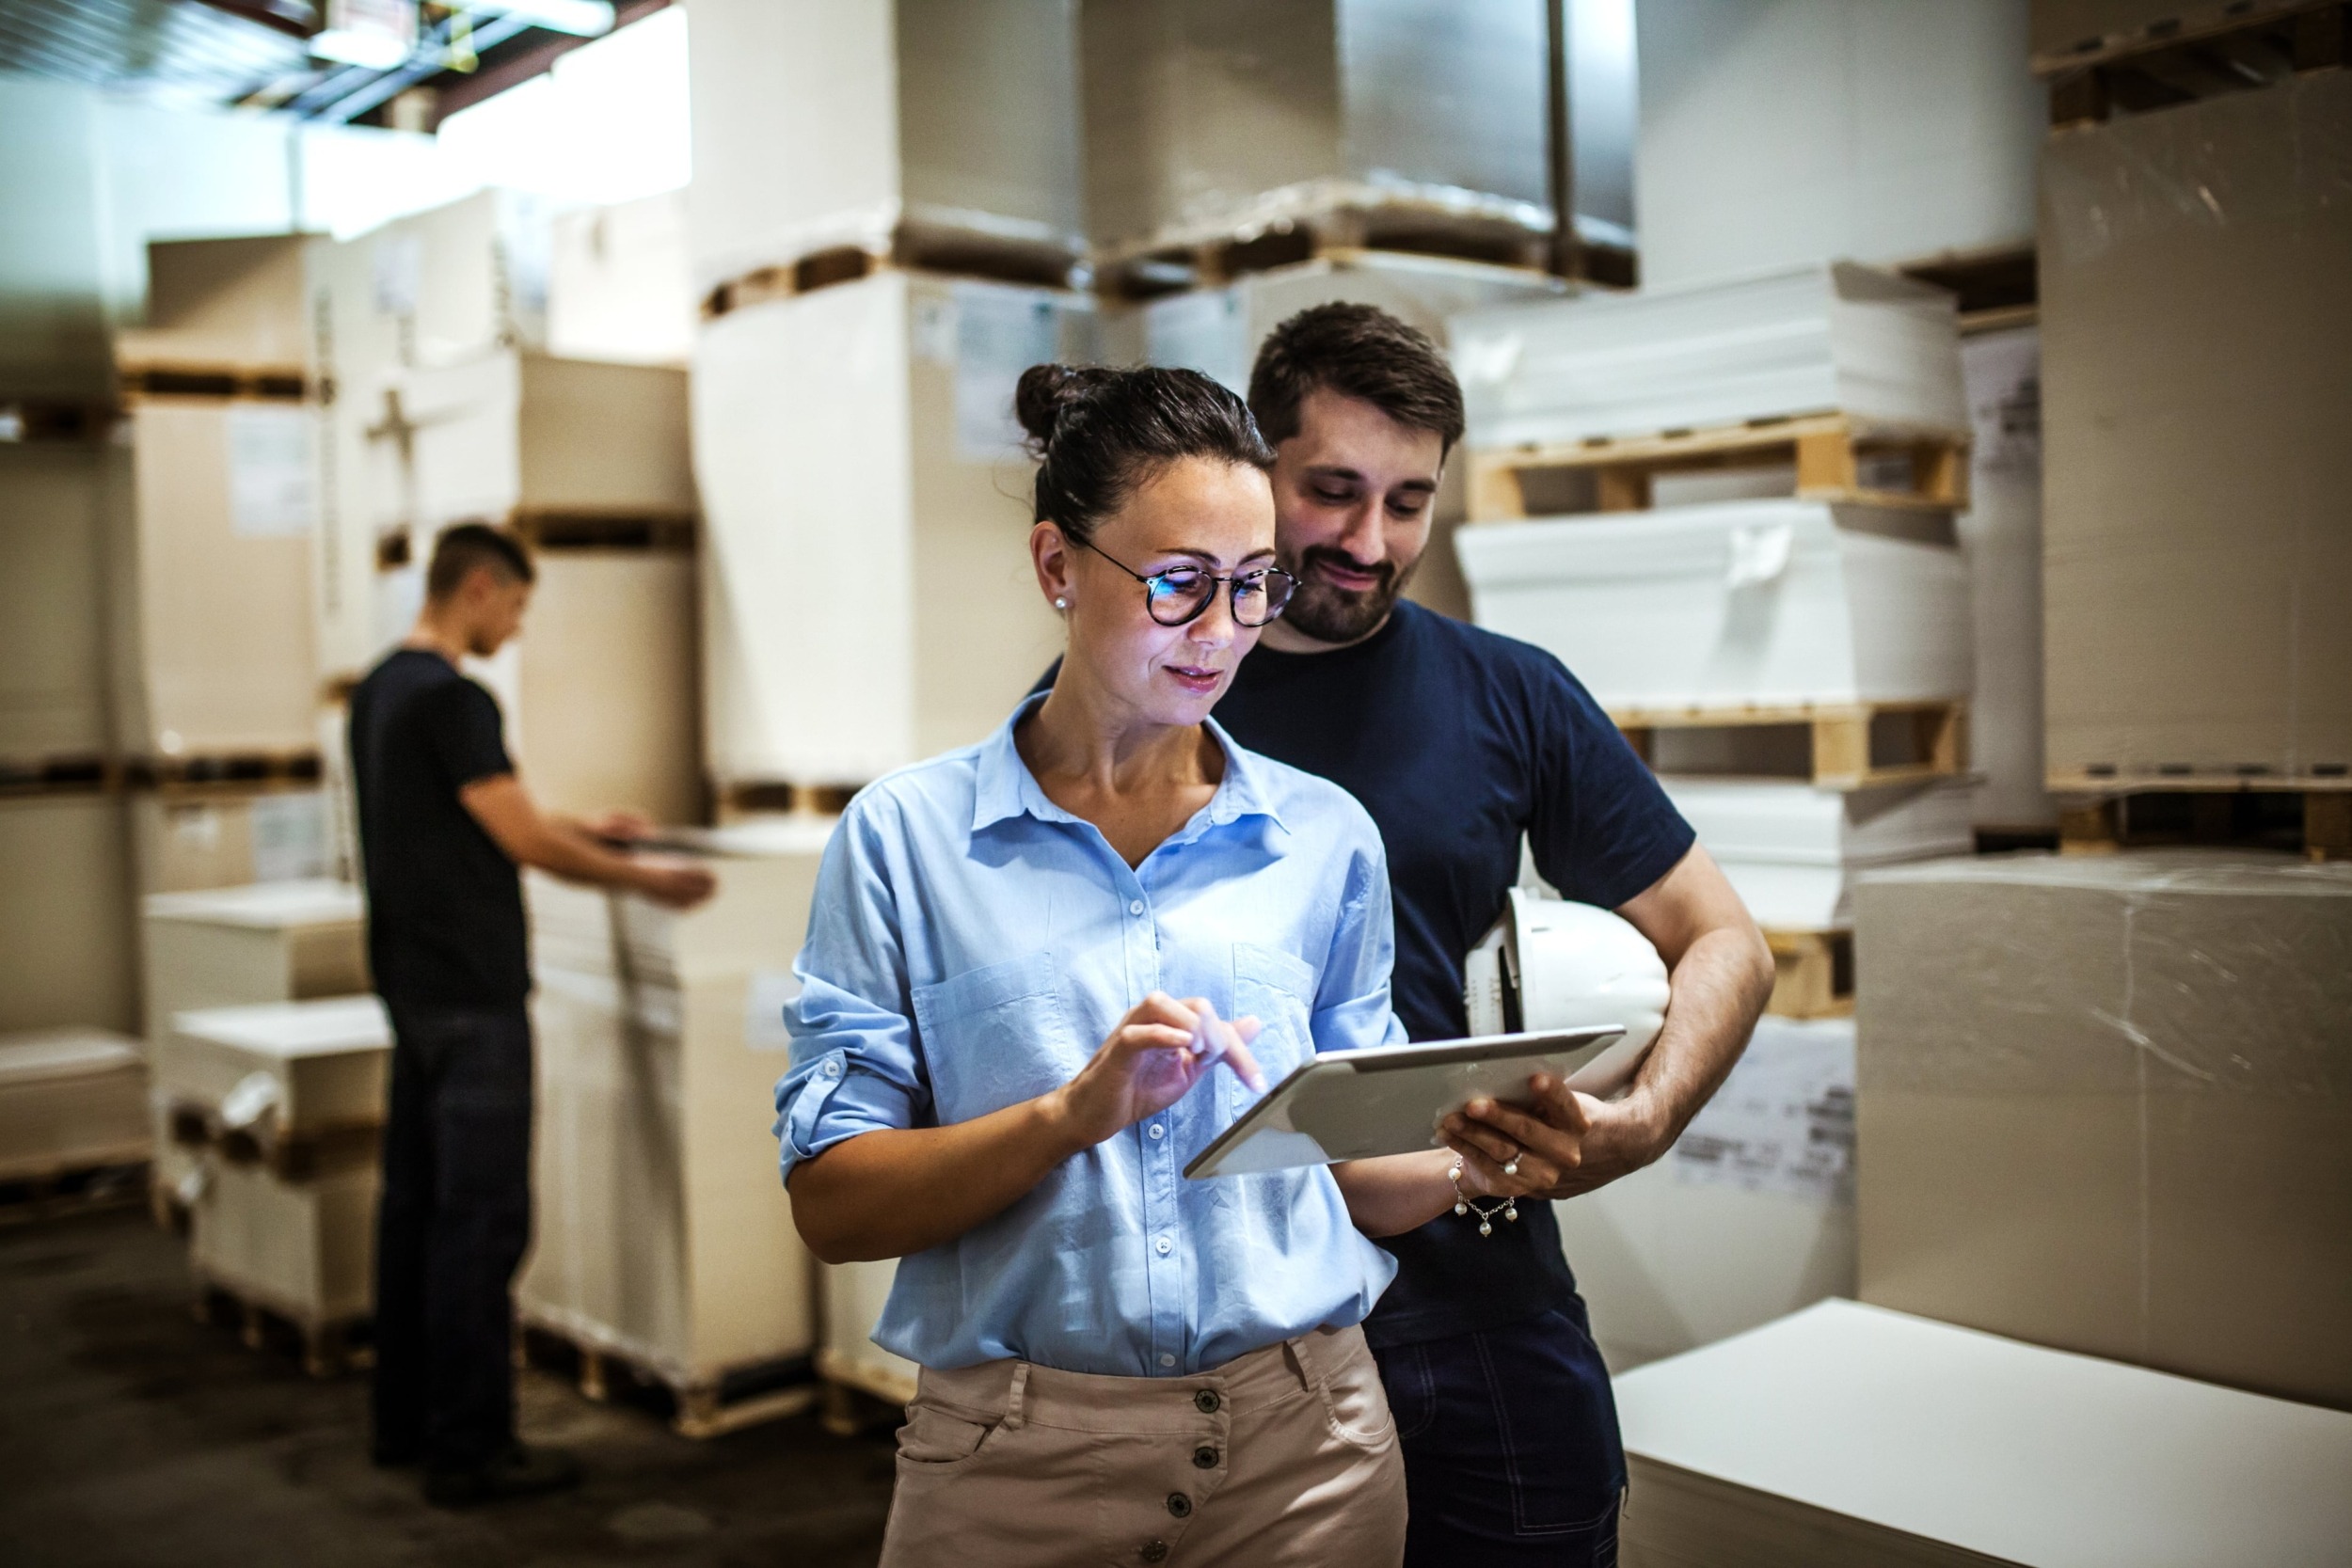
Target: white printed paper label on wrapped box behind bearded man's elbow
column 1782, row 1123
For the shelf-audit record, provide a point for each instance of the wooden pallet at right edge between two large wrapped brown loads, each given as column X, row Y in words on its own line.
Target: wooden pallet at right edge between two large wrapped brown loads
column 2304, row 815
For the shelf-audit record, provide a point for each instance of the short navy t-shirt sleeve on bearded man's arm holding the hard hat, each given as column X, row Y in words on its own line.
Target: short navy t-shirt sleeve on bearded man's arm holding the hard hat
column 1603, row 829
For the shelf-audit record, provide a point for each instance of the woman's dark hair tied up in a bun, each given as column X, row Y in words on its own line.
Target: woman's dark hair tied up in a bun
column 1100, row 434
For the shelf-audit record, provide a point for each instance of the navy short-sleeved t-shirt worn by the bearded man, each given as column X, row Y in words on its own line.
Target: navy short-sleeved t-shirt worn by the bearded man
column 1459, row 742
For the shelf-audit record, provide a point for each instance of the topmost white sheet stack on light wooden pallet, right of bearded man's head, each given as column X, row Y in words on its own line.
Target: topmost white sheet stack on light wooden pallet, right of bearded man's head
column 1822, row 340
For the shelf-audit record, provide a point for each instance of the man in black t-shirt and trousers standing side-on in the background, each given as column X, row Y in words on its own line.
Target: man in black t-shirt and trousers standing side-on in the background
column 443, row 831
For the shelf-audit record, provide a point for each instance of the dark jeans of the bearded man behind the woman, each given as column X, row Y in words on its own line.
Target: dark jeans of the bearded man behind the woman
column 1511, row 1447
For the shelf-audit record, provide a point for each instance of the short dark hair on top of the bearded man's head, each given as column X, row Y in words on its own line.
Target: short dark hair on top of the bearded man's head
column 1356, row 351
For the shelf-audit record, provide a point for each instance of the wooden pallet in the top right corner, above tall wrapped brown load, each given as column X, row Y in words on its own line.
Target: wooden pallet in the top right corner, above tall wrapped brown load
column 2207, row 53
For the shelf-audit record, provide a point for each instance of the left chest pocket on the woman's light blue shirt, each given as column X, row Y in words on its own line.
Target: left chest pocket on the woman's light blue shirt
column 996, row 1036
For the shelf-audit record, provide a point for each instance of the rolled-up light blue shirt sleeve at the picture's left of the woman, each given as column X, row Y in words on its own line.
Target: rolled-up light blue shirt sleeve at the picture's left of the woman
column 855, row 1066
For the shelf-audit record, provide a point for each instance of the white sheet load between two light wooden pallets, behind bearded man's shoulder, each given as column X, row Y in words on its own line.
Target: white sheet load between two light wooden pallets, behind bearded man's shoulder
column 1751, row 603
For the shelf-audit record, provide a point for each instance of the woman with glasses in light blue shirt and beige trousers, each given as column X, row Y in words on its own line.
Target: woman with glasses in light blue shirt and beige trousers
column 1041, row 977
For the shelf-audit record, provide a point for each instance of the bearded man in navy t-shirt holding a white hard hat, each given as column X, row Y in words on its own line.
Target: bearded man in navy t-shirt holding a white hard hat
column 1462, row 744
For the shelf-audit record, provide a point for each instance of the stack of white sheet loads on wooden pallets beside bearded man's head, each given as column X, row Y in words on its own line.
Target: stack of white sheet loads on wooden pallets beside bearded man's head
column 1793, row 664
